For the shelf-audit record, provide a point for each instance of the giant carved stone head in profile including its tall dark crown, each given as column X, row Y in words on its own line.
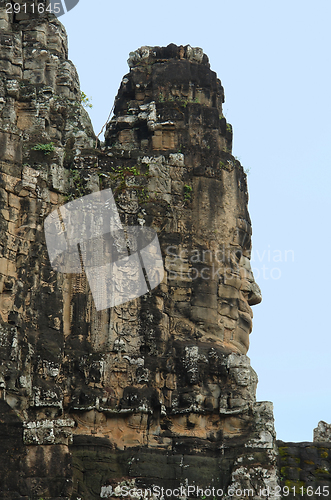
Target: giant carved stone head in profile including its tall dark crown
column 171, row 101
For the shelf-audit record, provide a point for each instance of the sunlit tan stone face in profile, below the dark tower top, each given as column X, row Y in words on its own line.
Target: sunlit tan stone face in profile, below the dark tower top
column 209, row 273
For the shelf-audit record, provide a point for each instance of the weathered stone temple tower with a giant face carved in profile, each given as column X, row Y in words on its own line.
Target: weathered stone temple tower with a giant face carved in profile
column 157, row 392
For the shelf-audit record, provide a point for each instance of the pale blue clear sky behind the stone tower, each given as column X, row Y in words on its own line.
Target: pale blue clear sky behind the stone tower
column 273, row 59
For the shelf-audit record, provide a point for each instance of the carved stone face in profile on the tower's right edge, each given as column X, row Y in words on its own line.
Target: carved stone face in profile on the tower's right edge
column 226, row 234
